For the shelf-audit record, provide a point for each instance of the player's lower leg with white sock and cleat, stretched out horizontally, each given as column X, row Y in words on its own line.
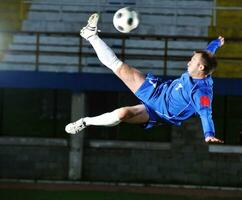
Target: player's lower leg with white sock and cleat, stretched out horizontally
column 132, row 114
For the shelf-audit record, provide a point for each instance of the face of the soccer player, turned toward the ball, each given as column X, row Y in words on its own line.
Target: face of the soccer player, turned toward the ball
column 194, row 66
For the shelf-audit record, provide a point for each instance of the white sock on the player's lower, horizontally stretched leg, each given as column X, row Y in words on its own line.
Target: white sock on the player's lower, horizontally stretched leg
column 106, row 119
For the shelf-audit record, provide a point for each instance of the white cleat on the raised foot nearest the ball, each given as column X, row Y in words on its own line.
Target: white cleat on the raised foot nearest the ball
column 91, row 28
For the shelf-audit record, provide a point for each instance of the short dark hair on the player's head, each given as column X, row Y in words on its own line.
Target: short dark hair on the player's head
column 208, row 60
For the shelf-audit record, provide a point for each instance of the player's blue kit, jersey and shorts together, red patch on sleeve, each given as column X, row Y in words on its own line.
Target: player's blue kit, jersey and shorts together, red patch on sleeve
column 176, row 100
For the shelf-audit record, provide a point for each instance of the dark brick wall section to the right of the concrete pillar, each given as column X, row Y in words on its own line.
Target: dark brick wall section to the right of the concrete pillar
column 186, row 160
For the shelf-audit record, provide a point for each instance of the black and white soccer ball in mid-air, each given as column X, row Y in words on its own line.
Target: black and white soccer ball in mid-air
column 125, row 20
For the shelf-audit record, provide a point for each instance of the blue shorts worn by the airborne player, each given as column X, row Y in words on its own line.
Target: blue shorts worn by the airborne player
column 151, row 87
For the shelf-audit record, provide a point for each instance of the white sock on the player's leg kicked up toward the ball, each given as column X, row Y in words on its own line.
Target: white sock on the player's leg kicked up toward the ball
column 105, row 53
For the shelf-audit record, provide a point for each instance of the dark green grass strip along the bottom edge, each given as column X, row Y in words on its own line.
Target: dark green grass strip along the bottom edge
column 10, row 194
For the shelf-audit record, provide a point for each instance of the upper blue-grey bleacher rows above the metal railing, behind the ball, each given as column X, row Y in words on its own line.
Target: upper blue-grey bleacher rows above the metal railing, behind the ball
column 158, row 17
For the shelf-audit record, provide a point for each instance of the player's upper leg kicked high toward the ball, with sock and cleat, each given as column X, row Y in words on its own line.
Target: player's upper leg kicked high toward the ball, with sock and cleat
column 132, row 77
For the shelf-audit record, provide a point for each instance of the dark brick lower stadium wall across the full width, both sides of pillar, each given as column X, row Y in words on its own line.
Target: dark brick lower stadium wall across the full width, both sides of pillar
column 186, row 160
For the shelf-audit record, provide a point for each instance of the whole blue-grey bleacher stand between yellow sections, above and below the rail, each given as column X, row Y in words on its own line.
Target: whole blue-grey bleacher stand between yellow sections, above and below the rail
column 59, row 48
